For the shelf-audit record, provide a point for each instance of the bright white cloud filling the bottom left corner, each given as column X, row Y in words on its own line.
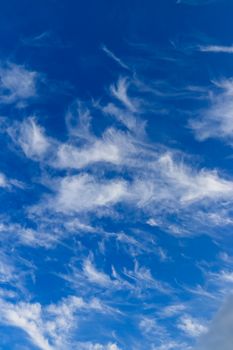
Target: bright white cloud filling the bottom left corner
column 48, row 327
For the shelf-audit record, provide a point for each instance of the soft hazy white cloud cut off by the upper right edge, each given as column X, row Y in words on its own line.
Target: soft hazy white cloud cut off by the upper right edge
column 216, row 121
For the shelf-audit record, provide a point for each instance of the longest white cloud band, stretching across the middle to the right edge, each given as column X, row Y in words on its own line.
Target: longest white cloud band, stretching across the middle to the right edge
column 163, row 179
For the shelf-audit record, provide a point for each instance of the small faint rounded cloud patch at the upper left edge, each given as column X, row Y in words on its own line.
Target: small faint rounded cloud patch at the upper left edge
column 17, row 84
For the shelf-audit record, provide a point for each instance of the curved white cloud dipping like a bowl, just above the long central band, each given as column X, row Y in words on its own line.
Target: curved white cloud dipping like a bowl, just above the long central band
column 112, row 147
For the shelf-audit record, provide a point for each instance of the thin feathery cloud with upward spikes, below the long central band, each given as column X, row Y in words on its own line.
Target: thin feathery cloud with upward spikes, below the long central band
column 88, row 277
